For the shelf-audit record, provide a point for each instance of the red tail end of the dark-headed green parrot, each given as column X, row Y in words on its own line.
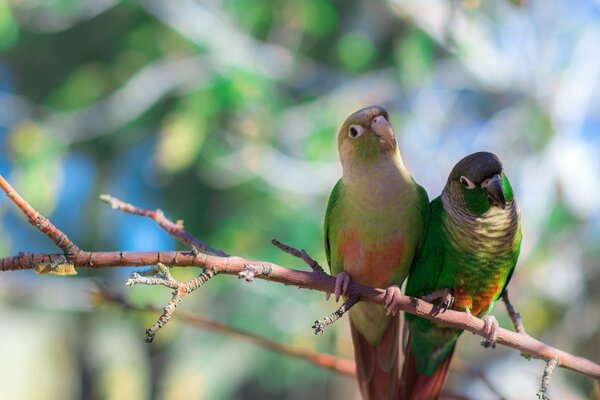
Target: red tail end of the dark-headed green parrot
column 418, row 386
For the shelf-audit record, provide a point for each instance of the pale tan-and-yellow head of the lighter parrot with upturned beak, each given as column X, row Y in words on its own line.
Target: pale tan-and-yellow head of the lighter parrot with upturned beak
column 366, row 135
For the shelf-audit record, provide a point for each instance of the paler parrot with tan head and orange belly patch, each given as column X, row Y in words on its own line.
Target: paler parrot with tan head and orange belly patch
column 374, row 226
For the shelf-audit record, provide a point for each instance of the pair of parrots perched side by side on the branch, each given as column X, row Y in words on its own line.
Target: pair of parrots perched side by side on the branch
column 380, row 227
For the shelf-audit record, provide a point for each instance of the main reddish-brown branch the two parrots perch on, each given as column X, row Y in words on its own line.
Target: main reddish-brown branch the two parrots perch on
column 314, row 280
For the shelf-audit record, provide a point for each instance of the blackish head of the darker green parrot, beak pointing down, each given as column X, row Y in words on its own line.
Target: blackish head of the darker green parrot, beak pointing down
column 477, row 182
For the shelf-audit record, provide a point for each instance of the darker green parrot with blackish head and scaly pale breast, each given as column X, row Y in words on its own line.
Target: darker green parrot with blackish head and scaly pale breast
column 470, row 252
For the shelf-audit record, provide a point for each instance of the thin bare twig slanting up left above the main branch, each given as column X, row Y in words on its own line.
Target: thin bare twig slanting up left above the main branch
column 172, row 228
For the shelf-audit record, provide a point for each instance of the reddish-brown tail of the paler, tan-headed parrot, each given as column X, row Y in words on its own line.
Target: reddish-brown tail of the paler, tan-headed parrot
column 377, row 366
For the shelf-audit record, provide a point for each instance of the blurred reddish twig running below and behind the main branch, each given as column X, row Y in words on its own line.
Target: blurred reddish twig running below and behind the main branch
column 339, row 365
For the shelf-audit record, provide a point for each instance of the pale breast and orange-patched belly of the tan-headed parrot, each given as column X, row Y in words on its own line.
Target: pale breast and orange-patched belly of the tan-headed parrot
column 378, row 224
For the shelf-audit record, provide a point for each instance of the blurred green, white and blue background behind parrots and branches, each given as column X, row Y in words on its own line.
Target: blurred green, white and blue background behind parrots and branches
column 224, row 114
